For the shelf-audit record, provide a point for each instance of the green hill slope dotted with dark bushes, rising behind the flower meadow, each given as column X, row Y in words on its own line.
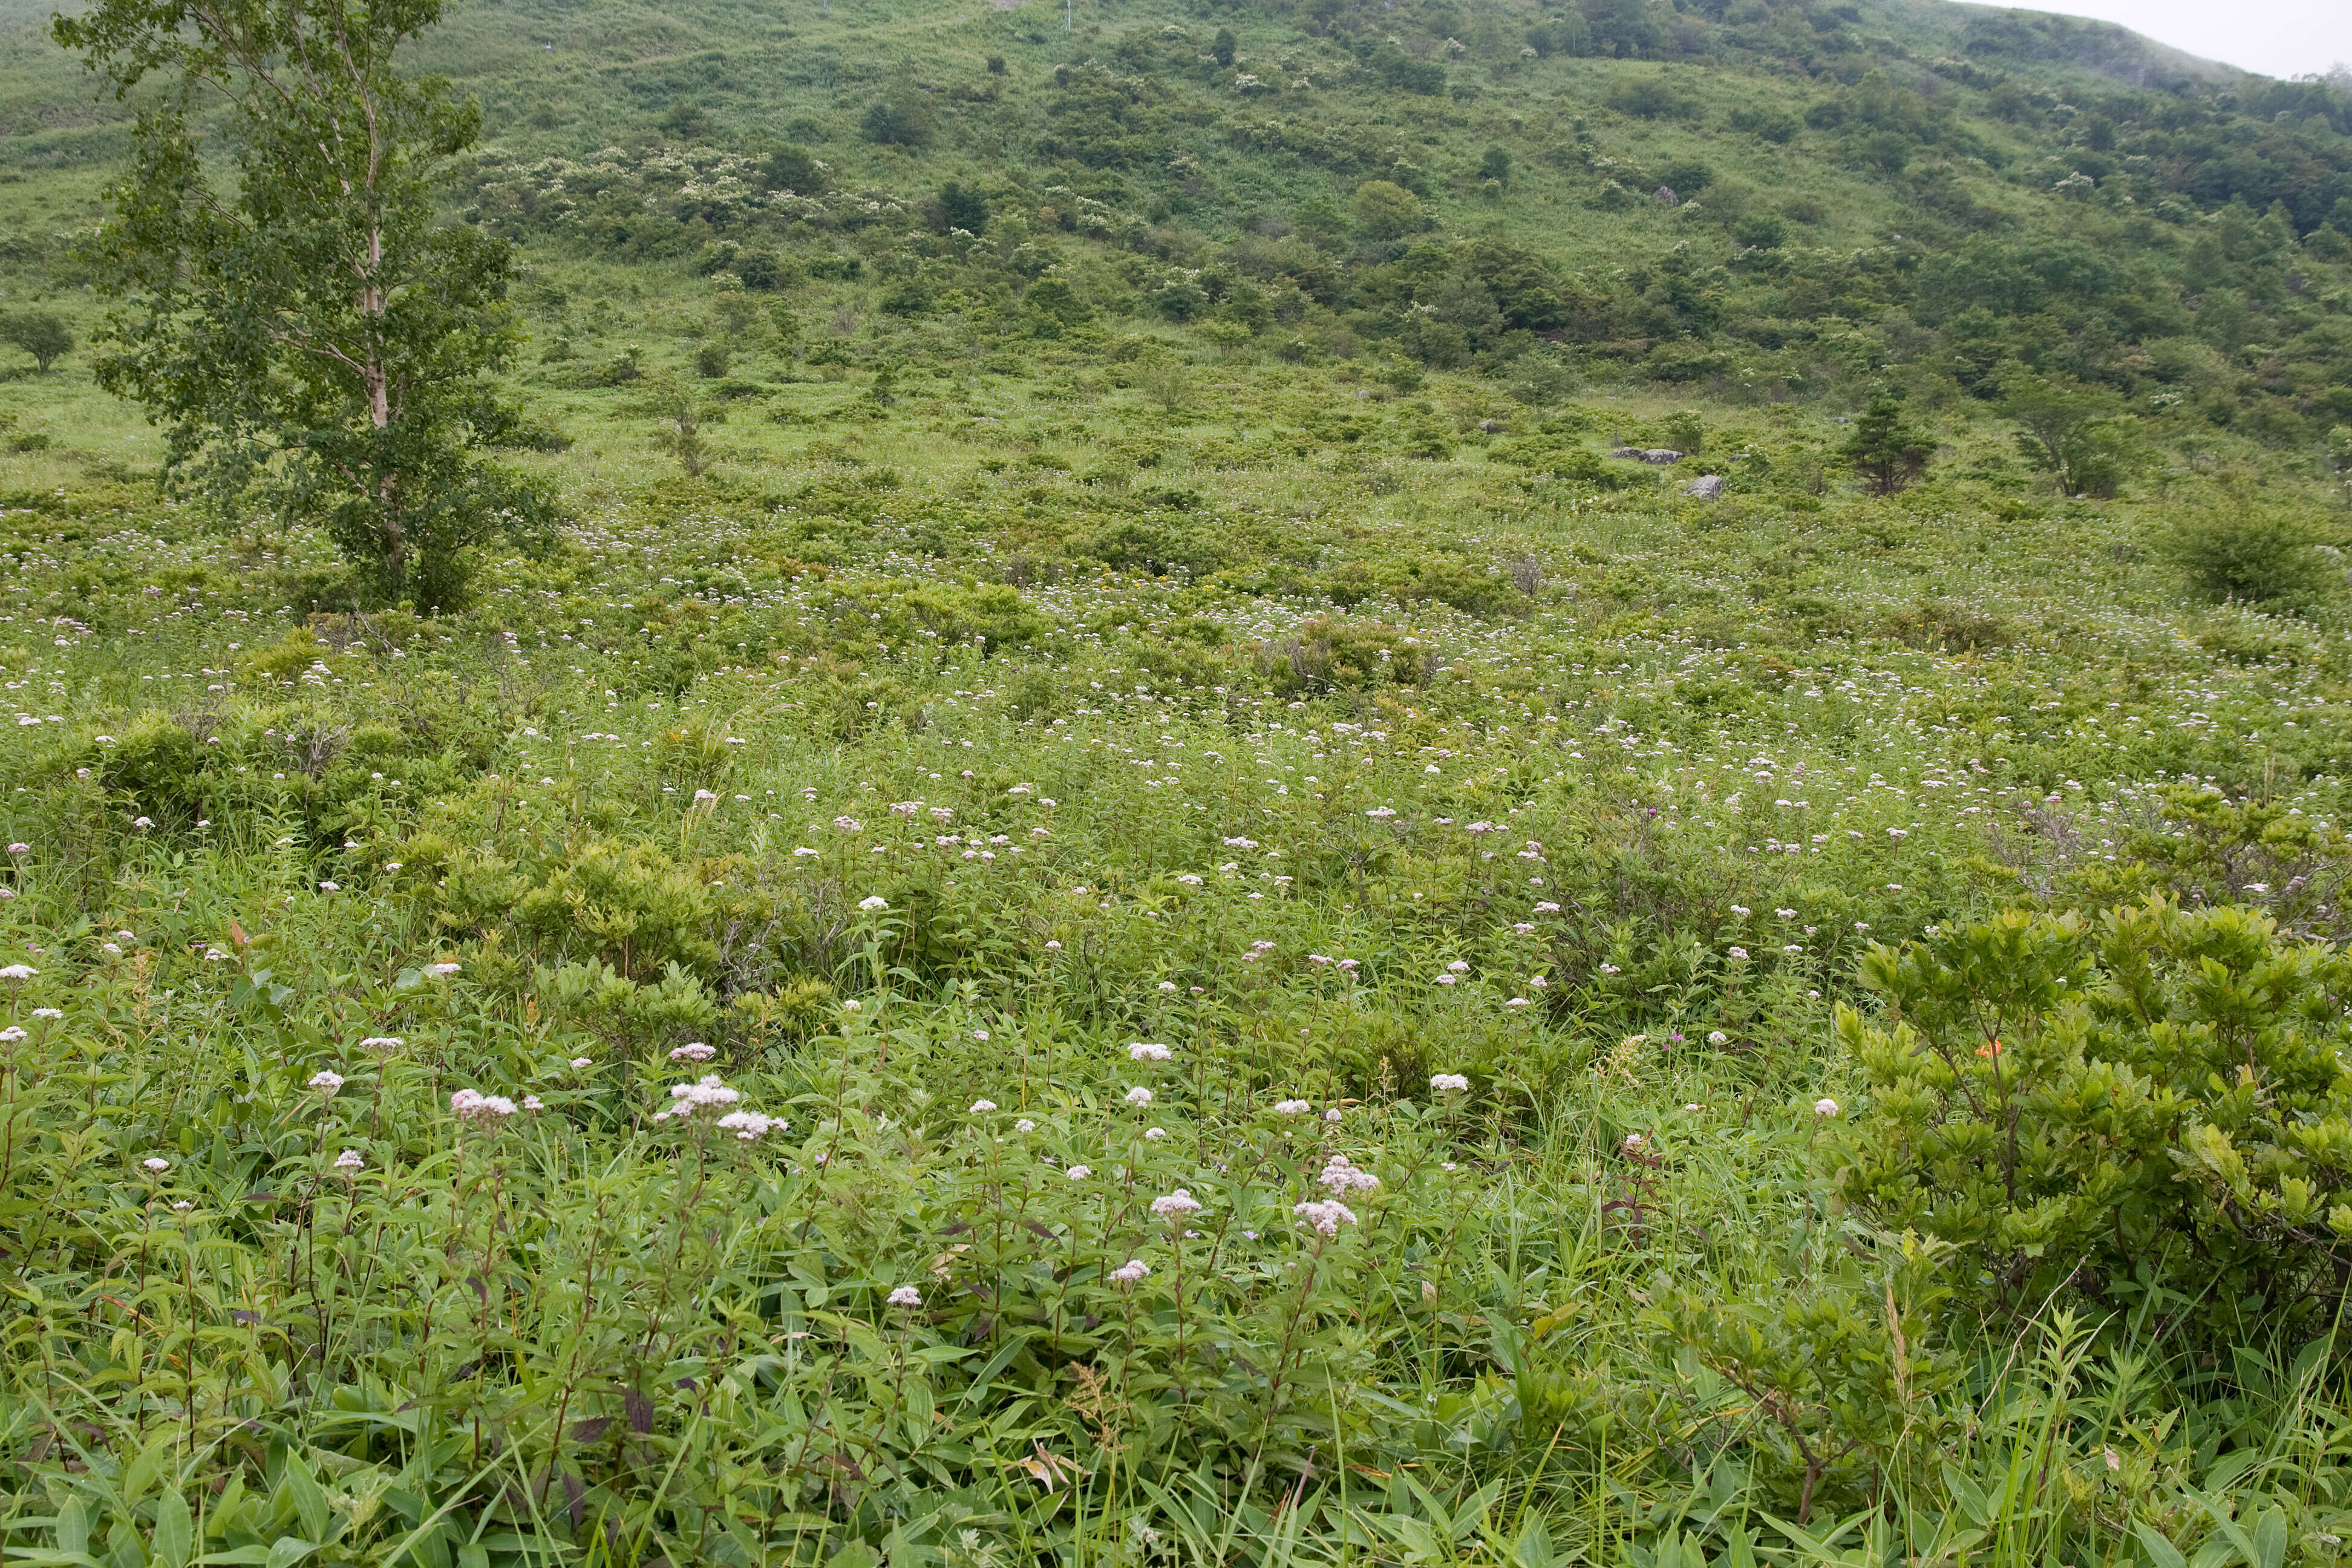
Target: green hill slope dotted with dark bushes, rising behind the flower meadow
column 1716, row 201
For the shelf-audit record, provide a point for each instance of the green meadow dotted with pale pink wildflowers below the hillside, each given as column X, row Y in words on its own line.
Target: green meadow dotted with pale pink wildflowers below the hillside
column 869, row 1064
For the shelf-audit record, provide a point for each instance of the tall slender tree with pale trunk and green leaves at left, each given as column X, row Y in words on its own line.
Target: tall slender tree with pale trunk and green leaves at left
column 288, row 304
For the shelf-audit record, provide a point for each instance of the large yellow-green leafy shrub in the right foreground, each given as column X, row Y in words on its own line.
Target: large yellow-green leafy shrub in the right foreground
column 2144, row 1106
